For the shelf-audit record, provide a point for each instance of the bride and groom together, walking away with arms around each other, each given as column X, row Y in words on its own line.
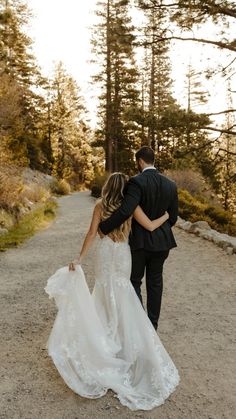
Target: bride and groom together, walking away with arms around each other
column 105, row 340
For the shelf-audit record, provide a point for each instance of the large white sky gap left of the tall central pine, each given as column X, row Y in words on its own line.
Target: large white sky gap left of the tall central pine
column 61, row 32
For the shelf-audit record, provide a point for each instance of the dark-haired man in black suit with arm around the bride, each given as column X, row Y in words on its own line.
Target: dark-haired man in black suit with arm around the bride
column 155, row 194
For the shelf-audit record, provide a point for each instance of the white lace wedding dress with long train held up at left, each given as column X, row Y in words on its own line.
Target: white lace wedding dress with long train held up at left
column 105, row 340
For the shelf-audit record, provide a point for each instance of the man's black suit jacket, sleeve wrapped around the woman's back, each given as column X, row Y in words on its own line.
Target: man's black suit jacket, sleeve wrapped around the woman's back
column 155, row 194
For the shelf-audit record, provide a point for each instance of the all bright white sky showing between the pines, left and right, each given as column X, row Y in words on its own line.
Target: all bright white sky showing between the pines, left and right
column 61, row 31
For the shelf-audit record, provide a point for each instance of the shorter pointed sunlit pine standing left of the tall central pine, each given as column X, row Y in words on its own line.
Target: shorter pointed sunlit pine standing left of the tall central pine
column 69, row 134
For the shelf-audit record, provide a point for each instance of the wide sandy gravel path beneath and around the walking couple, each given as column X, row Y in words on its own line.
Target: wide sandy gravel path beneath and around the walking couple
column 197, row 327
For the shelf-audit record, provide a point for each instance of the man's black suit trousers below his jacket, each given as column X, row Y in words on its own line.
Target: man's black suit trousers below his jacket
column 153, row 263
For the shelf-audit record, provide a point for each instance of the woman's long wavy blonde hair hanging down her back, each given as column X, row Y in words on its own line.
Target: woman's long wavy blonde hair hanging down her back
column 111, row 199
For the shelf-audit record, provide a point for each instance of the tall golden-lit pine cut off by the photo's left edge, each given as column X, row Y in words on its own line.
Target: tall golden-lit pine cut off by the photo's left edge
column 21, row 139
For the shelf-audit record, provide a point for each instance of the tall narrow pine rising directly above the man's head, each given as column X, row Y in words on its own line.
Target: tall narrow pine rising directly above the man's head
column 158, row 83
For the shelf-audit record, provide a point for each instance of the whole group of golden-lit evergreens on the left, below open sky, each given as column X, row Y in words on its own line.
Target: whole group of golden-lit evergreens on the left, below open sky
column 42, row 124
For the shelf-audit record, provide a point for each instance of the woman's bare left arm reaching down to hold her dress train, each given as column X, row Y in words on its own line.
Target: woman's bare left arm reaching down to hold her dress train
column 90, row 236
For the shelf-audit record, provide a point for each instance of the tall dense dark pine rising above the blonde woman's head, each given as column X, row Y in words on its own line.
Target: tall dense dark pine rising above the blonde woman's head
column 118, row 77
